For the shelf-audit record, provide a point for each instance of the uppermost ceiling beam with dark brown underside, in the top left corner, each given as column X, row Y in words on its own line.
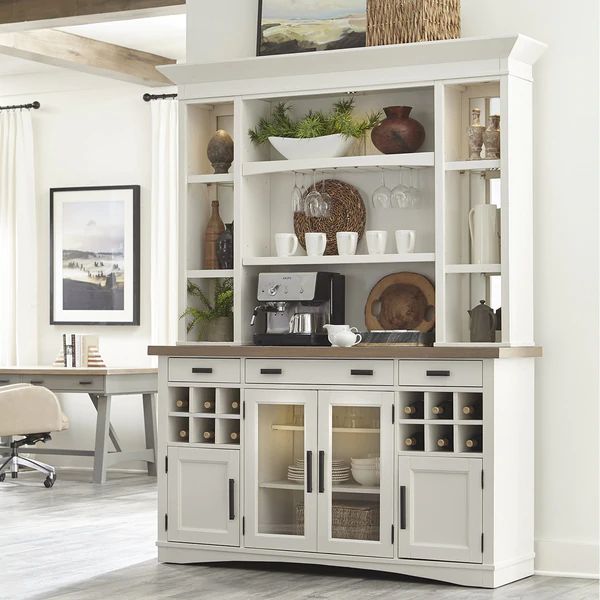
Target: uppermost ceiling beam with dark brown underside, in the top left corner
column 20, row 15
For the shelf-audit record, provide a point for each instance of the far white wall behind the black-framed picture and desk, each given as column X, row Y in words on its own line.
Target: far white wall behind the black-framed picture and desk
column 90, row 131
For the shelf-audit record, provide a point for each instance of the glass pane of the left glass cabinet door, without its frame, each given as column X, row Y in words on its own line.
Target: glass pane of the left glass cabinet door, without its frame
column 281, row 480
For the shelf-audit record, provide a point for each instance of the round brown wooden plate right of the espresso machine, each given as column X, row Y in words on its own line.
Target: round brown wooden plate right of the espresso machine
column 401, row 301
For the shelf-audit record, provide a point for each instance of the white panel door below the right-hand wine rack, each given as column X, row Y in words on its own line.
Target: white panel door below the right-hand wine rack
column 440, row 508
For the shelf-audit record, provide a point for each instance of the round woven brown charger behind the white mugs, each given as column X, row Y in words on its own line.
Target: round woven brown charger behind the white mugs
column 346, row 214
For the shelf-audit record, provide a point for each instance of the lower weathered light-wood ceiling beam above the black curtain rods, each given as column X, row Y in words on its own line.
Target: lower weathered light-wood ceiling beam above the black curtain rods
column 78, row 53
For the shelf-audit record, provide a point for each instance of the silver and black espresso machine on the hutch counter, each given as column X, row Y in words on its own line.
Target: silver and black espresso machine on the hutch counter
column 293, row 307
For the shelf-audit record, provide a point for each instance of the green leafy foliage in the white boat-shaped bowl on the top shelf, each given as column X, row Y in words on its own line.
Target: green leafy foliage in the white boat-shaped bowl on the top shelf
column 314, row 124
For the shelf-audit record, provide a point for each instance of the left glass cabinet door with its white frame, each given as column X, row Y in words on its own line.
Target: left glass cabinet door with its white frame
column 281, row 494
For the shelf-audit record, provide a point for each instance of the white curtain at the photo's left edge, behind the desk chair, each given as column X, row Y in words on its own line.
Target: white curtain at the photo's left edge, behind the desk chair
column 18, row 241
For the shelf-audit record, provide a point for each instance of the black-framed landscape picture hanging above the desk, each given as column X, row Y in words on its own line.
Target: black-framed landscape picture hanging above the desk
column 95, row 255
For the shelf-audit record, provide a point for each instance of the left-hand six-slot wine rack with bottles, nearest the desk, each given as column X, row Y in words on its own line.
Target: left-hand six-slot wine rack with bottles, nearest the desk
column 204, row 416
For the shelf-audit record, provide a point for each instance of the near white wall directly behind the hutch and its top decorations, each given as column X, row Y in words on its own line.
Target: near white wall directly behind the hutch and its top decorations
column 566, row 246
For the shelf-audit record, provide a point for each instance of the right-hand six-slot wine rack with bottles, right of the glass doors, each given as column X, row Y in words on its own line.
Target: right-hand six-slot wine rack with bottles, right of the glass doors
column 441, row 422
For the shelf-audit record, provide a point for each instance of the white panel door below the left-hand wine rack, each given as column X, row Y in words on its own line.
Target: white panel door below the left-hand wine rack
column 204, row 496
